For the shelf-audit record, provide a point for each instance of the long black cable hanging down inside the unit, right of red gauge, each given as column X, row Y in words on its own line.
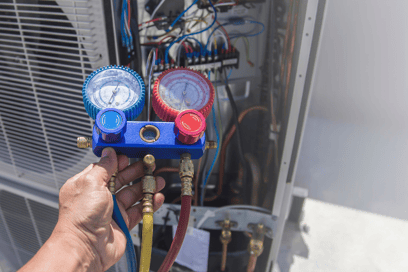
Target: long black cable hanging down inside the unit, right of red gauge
column 238, row 133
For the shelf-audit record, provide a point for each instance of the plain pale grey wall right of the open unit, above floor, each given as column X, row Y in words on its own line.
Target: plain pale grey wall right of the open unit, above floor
column 355, row 148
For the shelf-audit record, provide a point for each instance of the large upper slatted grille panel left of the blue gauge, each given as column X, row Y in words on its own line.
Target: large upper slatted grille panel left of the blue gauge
column 47, row 49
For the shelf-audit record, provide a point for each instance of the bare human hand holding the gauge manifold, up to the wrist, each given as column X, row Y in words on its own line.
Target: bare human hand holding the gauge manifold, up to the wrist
column 86, row 206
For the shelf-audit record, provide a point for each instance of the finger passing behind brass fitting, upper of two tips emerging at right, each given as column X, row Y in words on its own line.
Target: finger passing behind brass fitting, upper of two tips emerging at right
column 131, row 194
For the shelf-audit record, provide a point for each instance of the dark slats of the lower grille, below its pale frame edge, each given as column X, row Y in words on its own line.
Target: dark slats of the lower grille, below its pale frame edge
column 25, row 225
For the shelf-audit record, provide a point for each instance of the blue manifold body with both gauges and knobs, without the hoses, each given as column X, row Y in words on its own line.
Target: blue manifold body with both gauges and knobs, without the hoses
column 114, row 97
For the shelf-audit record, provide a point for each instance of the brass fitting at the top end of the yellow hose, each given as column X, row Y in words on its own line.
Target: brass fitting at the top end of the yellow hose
column 148, row 183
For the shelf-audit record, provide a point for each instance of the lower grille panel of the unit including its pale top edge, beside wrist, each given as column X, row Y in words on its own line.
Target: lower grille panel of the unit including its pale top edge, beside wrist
column 27, row 218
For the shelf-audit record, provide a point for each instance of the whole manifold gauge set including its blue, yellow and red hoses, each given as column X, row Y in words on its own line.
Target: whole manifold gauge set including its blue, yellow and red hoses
column 182, row 98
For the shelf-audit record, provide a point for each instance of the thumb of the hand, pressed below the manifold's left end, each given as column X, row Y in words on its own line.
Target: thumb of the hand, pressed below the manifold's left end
column 105, row 168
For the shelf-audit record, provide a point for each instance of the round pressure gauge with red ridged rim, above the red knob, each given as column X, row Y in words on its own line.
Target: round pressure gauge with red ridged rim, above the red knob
column 181, row 89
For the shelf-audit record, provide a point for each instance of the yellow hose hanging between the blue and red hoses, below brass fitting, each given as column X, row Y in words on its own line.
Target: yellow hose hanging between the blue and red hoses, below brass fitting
column 147, row 239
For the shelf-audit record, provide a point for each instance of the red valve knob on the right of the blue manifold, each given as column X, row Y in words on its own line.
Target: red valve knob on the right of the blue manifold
column 189, row 126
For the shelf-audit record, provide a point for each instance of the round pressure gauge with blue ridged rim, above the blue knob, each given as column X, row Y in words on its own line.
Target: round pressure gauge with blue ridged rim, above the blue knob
column 115, row 87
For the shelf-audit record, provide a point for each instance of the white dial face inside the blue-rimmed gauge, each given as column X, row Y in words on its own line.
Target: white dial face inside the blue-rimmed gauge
column 114, row 88
